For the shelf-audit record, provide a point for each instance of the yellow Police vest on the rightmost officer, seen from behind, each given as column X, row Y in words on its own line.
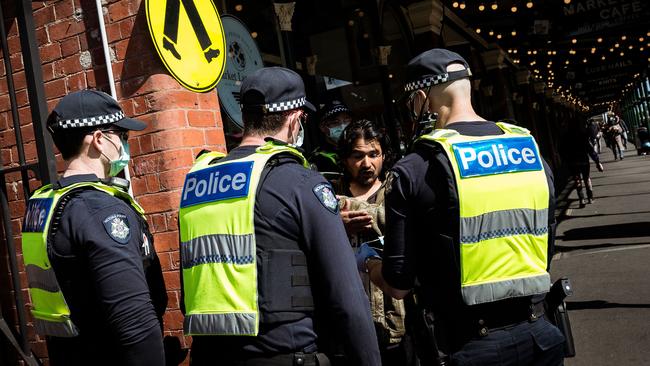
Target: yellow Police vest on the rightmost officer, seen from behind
column 503, row 201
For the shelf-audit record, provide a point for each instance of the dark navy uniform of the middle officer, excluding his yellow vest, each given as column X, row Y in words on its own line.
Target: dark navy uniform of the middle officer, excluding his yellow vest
column 290, row 213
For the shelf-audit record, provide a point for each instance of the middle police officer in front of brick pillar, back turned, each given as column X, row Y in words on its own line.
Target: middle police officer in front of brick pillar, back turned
column 263, row 249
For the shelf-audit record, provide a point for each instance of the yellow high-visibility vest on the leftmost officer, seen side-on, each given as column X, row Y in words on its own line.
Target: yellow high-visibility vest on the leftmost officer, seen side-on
column 50, row 310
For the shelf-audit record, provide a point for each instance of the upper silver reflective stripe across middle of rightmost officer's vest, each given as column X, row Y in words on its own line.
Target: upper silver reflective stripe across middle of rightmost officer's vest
column 498, row 224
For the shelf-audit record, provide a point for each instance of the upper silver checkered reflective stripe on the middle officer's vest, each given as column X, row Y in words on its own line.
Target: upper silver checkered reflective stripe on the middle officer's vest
column 218, row 248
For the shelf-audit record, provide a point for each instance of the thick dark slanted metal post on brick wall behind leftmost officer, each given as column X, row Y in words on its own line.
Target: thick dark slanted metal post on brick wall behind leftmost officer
column 34, row 76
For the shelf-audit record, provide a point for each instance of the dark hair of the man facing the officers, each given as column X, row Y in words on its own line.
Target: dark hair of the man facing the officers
column 367, row 130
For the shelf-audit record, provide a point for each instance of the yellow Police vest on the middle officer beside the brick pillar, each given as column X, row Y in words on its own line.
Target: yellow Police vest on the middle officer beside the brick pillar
column 218, row 250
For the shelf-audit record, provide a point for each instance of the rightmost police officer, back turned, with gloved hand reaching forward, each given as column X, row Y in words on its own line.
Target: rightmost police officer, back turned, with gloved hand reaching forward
column 470, row 215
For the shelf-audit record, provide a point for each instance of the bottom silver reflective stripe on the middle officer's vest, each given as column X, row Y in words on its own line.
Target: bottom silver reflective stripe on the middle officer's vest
column 220, row 324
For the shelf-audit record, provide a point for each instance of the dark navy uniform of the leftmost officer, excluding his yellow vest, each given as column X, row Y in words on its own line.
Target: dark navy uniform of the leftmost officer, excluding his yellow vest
column 115, row 291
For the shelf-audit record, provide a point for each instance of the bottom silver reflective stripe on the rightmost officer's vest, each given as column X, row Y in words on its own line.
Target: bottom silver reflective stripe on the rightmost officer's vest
column 494, row 291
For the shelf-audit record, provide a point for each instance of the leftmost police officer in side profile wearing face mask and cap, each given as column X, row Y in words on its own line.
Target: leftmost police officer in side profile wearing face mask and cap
column 94, row 278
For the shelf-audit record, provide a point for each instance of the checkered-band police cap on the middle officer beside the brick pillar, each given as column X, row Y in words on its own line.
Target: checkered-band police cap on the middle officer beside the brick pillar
column 274, row 89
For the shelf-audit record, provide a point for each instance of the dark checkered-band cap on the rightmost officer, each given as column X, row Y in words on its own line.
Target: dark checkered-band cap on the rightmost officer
column 430, row 68
